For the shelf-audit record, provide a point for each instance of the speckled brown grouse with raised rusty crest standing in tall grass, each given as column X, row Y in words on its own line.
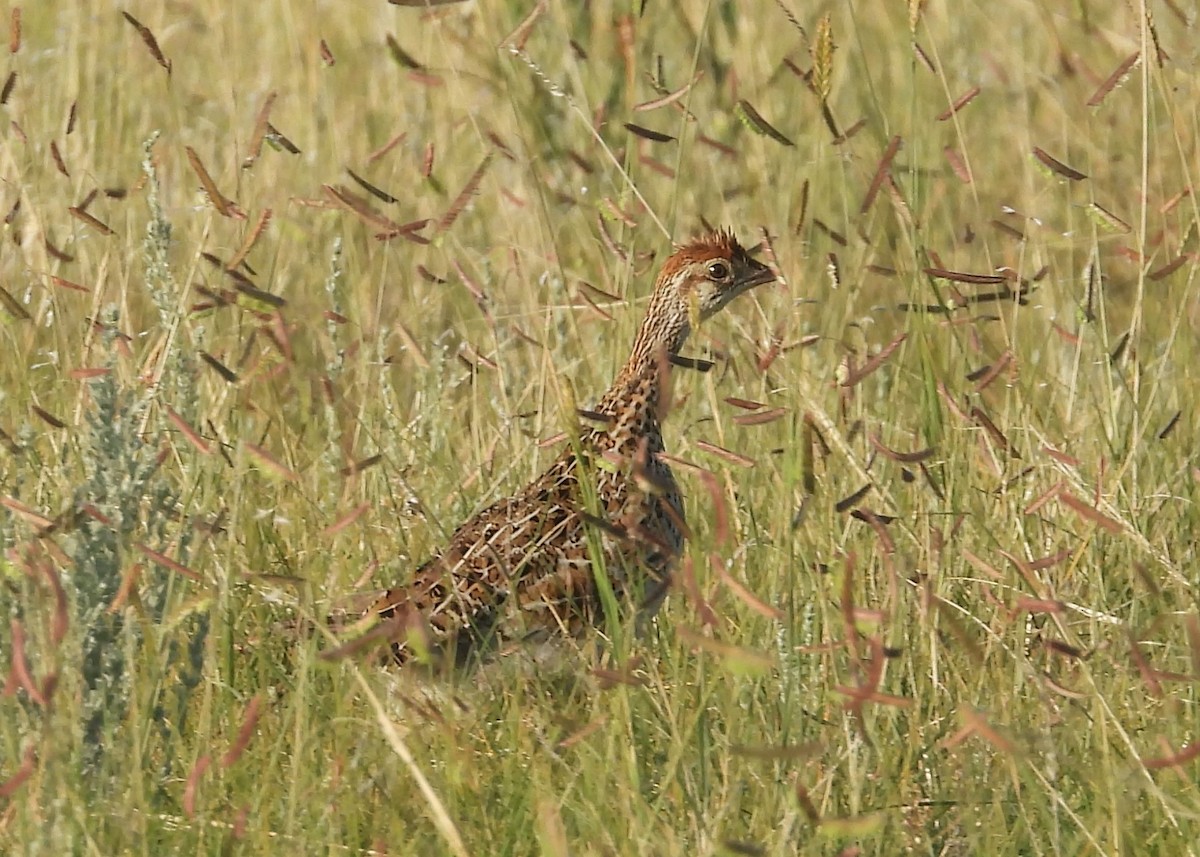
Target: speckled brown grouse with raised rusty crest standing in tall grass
column 523, row 565
